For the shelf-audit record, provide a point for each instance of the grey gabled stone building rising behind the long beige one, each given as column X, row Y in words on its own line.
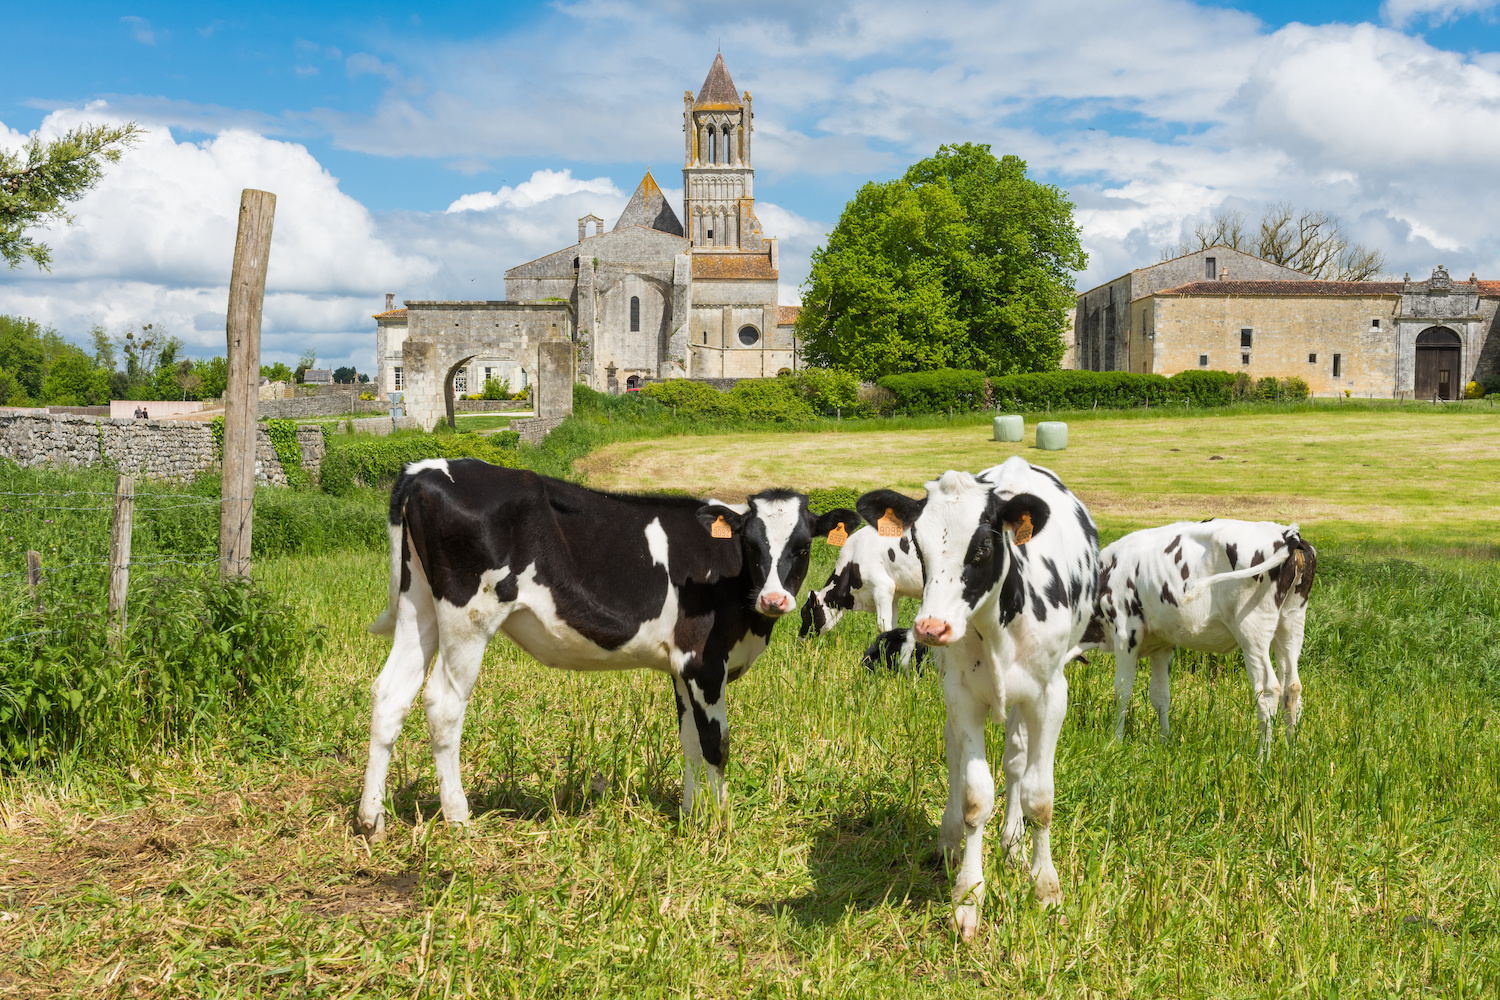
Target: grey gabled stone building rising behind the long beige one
column 1102, row 322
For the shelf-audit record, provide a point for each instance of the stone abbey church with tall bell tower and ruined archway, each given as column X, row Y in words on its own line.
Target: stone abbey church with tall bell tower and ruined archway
column 658, row 296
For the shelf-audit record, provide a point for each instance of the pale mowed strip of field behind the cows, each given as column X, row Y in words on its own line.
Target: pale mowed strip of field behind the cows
column 1366, row 476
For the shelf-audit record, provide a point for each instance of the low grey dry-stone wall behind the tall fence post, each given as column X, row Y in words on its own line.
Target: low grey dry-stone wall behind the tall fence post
column 148, row 449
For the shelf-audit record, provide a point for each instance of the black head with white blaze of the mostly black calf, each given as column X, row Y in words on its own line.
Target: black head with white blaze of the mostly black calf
column 776, row 533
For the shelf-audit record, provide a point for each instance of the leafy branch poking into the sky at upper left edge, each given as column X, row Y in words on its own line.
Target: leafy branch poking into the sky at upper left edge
column 38, row 181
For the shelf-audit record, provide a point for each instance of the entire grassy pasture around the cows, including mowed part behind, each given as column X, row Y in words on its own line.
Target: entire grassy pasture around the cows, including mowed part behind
column 1361, row 861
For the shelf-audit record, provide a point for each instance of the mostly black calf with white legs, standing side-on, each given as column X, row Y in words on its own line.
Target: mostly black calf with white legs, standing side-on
column 581, row 581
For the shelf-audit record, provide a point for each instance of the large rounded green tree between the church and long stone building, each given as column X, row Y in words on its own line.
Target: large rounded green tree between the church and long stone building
column 962, row 263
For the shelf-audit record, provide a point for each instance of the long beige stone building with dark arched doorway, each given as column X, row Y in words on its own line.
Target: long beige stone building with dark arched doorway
column 1385, row 340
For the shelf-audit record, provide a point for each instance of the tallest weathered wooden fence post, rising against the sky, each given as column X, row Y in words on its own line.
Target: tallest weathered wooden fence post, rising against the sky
column 241, row 397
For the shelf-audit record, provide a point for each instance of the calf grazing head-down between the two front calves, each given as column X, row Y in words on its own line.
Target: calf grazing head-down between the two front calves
column 872, row 575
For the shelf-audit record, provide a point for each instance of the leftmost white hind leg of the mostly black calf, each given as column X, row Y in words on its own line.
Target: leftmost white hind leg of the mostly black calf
column 413, row 644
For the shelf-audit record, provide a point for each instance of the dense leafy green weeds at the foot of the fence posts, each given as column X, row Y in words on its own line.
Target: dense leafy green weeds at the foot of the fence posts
column 194, row 656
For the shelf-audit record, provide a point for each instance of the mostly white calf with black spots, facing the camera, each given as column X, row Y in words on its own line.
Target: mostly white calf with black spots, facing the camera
column 1012, row 564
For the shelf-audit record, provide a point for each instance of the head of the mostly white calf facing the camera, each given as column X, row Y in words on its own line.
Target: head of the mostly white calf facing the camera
column 967, row 537
